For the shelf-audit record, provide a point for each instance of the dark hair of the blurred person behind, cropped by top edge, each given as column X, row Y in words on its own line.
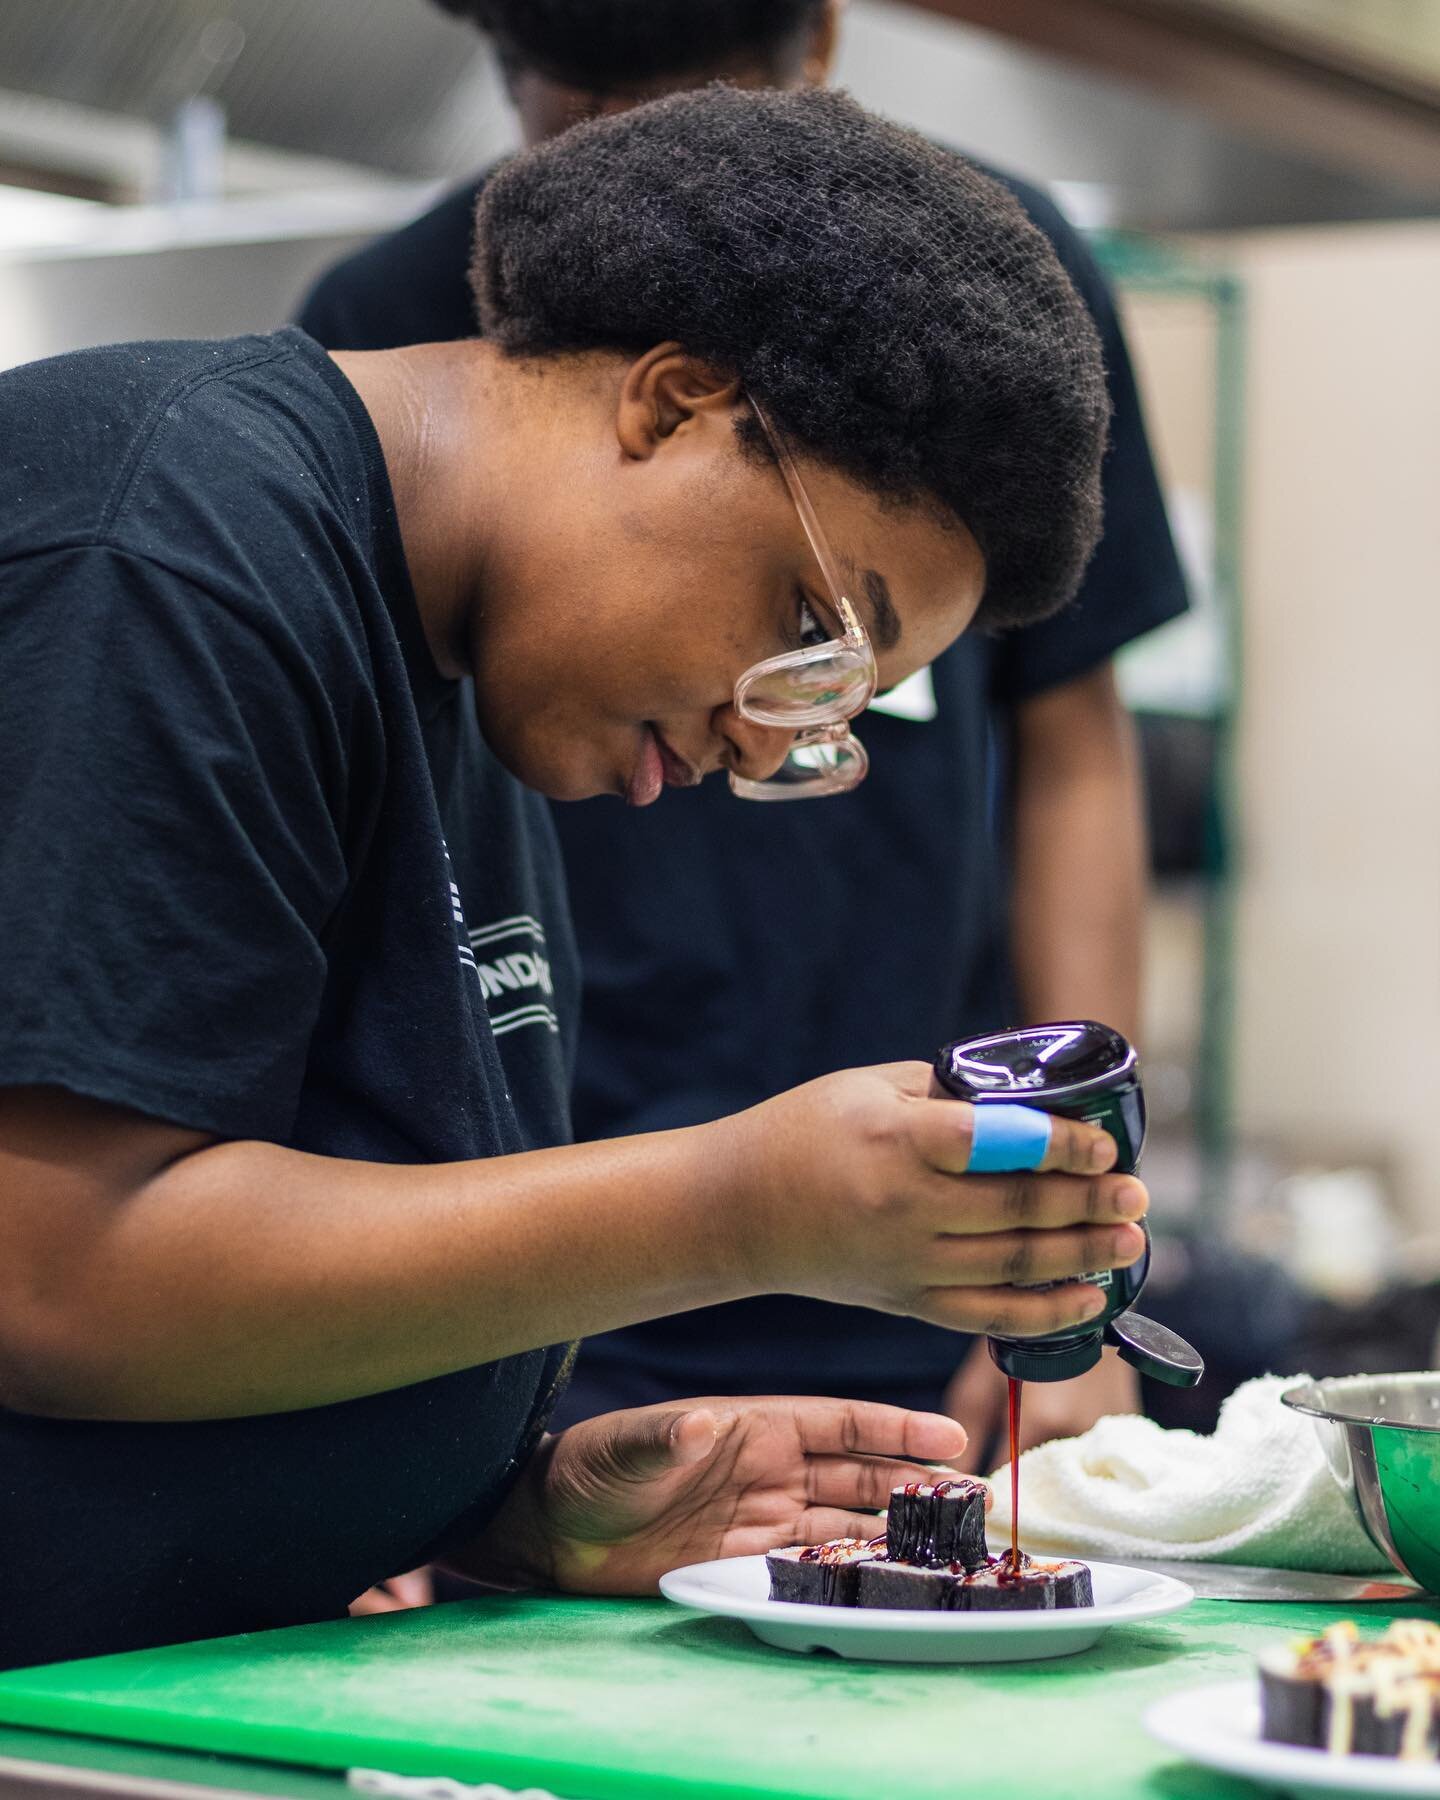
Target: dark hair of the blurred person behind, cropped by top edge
column 606, row 44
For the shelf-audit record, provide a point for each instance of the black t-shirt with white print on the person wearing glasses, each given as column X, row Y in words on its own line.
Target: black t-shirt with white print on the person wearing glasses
column 229, row 773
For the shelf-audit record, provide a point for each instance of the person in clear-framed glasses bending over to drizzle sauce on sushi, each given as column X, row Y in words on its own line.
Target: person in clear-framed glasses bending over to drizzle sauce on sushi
column 296, row 652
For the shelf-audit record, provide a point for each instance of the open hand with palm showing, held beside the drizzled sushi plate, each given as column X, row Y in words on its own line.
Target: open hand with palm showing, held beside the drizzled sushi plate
column 615, row 1502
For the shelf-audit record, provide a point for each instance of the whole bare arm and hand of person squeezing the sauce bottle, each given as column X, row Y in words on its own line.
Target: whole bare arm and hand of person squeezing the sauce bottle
column 147, row 1273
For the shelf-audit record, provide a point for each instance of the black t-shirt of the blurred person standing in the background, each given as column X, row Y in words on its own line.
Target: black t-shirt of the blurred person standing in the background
column 735, row 949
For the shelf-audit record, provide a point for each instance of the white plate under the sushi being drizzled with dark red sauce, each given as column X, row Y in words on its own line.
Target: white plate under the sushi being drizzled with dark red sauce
column 741, row 1588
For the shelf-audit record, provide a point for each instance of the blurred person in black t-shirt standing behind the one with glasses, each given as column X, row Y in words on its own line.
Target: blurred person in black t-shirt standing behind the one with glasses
column 989, row 872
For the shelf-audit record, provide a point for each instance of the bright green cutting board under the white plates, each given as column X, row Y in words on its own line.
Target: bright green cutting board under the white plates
column 598, row 1700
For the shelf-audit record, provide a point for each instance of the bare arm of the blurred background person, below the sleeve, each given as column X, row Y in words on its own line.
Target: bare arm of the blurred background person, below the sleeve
column 1079, row 858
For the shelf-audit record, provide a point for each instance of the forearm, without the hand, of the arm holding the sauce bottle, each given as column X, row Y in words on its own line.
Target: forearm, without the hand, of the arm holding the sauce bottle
column 249, row 1279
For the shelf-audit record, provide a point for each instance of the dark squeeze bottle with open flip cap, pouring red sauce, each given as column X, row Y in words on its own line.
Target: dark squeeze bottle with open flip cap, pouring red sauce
column 1084, row 1072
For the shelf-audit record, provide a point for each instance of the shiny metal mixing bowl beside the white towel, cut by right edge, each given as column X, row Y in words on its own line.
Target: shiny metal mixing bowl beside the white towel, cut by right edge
column 1381, row 1437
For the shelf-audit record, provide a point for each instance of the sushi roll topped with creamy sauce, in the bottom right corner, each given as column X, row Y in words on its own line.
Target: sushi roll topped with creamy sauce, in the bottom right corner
column 1356, row 1696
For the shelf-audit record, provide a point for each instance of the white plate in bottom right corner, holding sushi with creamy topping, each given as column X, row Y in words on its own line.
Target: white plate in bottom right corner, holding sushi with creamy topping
column 1219, row 1727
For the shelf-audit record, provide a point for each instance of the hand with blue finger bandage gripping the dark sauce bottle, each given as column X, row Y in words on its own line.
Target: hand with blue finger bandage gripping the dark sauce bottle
column 854, row 1189
